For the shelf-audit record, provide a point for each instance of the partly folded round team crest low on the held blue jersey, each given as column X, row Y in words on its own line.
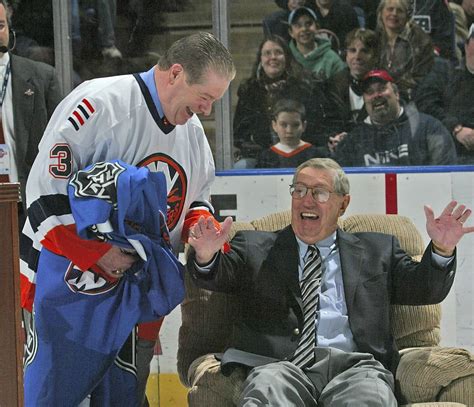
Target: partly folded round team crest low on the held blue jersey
column 87, row 282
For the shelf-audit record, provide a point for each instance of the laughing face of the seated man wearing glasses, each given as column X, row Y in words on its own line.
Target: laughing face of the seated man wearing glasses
column 311, row 220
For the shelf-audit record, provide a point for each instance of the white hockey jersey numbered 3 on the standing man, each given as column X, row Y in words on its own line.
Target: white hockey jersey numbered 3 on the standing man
column 102, row 120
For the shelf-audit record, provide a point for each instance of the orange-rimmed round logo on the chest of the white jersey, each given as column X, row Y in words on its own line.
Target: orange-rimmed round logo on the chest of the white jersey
column 176, row 181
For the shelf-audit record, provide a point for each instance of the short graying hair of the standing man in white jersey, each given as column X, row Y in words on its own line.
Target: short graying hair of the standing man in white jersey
column 198, row 53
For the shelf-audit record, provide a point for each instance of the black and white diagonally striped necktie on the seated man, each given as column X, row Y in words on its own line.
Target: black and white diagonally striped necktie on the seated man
column 304, row 354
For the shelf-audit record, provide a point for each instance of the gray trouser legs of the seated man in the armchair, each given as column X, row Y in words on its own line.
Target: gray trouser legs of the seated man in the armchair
column 336, row 379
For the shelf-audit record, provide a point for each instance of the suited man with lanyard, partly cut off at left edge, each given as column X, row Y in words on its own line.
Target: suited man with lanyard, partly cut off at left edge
column 29, row 93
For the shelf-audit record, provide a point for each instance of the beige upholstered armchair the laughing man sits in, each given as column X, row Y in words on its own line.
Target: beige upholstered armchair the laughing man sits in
column 429, row 375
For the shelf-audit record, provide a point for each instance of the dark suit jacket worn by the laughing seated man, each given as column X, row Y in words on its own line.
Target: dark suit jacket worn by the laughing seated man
column 263, row 268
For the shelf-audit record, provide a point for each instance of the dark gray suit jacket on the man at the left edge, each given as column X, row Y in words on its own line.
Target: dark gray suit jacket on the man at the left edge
column 36, row 94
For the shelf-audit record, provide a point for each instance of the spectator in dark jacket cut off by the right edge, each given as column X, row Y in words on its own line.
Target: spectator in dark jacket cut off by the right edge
column 460, row 107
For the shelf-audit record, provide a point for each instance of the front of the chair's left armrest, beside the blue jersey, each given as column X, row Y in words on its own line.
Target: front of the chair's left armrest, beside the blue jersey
column 209, row 387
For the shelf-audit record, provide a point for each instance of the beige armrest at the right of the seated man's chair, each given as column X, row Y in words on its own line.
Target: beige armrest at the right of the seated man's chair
column 425, row 373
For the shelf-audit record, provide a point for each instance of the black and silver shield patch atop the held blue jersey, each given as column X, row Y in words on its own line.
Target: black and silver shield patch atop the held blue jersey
column 98, row 182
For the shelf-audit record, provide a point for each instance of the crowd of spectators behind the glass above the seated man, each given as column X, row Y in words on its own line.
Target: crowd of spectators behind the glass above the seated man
column 381, row 83
